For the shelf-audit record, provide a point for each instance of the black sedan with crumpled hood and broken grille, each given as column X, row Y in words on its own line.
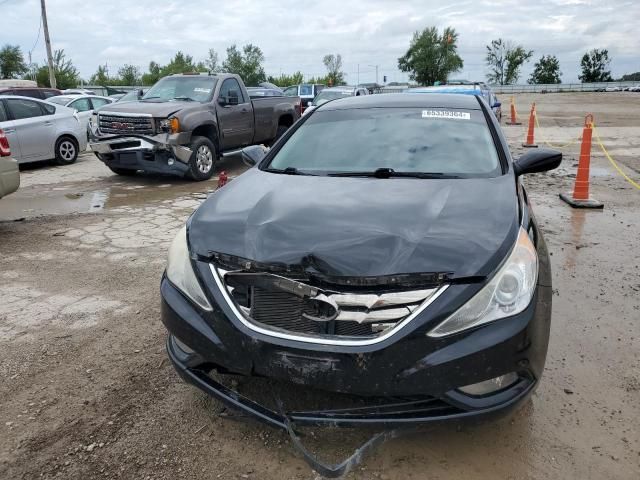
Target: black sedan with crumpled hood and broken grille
column 384, row 249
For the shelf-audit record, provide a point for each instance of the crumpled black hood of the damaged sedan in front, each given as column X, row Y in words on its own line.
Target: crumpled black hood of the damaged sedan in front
column 361, row 226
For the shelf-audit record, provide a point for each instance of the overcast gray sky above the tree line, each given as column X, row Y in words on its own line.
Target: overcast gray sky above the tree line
column 295, row 35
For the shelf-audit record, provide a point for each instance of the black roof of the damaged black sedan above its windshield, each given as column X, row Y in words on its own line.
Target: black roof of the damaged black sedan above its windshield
column 398, row 100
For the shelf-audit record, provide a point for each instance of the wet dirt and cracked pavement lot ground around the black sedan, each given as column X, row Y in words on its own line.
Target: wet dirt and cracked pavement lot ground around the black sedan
column 86, row 390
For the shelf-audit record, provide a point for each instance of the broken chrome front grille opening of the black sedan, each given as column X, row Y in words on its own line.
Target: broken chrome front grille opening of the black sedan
column 359, row 315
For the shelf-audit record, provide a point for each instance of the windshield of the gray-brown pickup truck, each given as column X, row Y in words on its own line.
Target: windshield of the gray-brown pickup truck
column 198, row 88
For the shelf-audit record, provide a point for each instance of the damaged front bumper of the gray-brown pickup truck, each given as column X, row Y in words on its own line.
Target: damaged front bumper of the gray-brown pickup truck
column 162, row 153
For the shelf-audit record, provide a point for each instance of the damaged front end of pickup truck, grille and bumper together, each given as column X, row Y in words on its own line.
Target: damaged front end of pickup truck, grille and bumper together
column 141, row 145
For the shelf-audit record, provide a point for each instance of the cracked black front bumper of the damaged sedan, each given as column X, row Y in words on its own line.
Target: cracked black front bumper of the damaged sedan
column 417, row 377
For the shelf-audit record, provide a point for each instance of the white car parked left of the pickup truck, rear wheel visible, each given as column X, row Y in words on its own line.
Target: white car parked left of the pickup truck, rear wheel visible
column 39, row 130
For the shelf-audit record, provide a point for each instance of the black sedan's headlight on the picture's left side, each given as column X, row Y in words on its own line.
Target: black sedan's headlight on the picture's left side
column 180, row 272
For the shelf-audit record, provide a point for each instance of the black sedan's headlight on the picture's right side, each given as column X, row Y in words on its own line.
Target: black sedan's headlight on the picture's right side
column 508, row 293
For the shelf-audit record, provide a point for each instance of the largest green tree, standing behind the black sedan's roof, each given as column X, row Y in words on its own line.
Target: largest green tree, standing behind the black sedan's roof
column 432, row 57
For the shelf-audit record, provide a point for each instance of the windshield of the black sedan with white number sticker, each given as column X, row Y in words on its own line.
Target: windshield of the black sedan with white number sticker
column 438, row 141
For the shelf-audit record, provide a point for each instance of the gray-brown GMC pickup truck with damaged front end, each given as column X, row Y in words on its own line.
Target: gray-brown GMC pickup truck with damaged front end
column 185, row 123
